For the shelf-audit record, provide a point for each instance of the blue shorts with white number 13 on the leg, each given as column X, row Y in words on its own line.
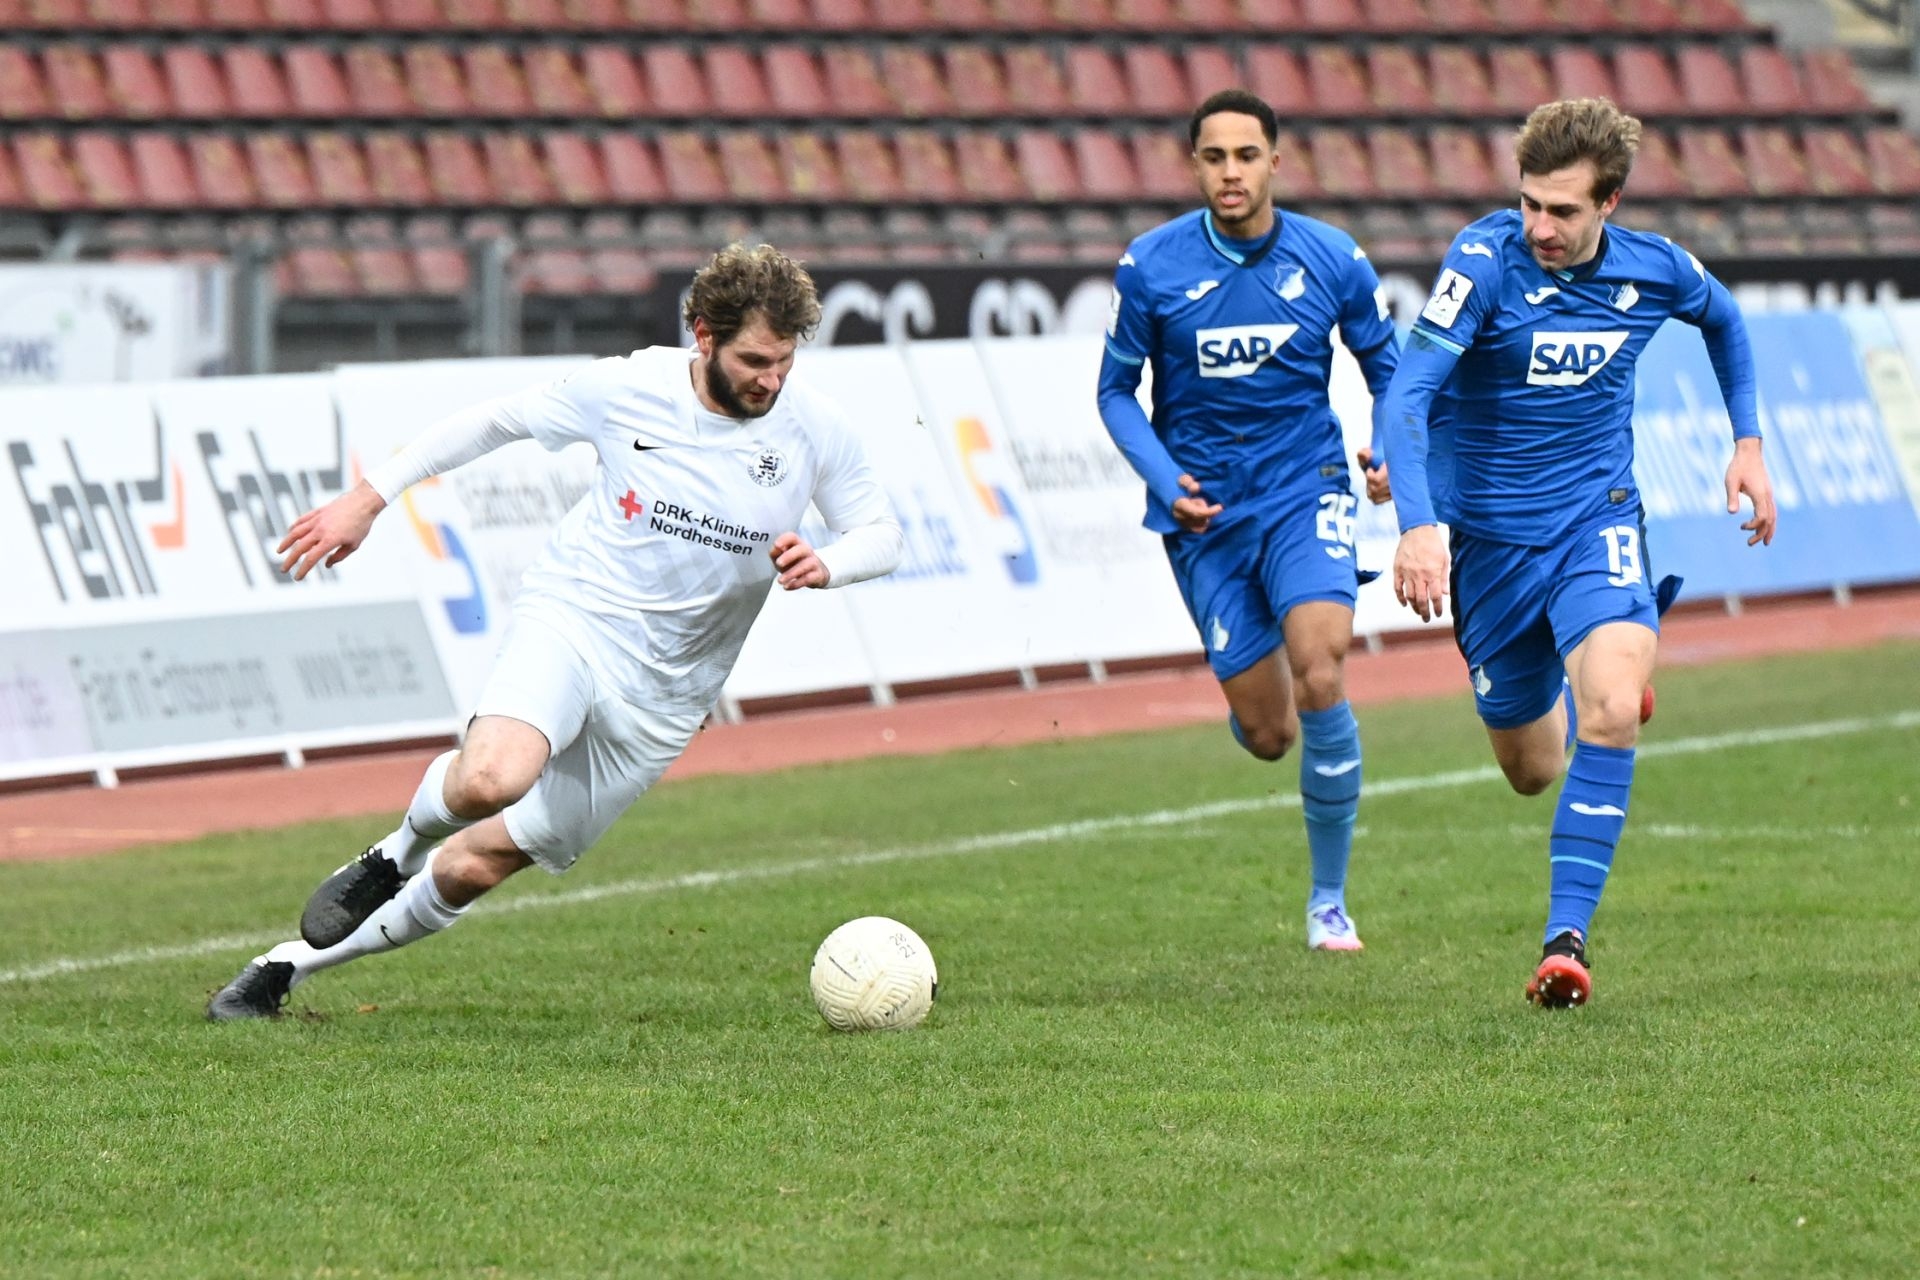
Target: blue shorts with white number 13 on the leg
column 1520, row 611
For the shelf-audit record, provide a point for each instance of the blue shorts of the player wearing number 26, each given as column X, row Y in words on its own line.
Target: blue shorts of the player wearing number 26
column 1243, row 579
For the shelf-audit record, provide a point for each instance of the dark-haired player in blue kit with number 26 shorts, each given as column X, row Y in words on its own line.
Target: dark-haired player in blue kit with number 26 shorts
column 1243, row 460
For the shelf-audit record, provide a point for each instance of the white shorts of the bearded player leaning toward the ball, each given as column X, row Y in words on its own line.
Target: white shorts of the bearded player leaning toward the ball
column 606, row 751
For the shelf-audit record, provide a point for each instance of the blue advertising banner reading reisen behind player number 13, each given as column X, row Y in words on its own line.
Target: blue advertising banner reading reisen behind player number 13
column 1844, row 510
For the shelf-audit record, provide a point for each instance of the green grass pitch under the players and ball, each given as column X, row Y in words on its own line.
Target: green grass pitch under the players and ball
column 1134, row 1068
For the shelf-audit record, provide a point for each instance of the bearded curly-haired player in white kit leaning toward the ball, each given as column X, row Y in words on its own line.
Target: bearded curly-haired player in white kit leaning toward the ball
column 633, row 619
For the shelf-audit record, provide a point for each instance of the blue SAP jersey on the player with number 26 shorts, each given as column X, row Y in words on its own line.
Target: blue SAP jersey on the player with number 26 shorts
column 1239, row 337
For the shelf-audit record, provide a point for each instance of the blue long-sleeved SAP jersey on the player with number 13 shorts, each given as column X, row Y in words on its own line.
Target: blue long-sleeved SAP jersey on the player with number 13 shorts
column 1533, row 433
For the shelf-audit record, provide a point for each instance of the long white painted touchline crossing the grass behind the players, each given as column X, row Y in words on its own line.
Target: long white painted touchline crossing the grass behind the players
column 972, row 843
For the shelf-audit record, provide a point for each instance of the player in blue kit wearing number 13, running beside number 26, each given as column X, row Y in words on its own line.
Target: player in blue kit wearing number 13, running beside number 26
column 1512, row 421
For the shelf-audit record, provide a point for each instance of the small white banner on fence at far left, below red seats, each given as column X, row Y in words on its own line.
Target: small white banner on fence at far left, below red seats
column 66, row 323
